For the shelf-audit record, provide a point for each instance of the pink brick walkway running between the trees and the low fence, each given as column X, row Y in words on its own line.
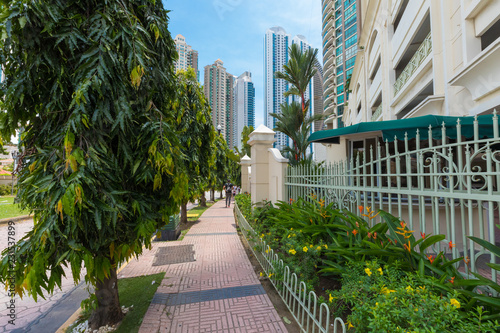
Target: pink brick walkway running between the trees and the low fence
column 217, row 292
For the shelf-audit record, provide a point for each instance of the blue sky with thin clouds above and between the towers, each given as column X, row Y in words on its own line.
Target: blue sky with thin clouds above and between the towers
column 233, row 31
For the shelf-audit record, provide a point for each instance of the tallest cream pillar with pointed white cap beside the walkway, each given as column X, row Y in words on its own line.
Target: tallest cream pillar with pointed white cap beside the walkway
column 260, row 140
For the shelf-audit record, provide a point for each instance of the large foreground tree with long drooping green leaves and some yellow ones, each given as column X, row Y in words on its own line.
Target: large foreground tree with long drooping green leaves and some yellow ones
column 91, row 82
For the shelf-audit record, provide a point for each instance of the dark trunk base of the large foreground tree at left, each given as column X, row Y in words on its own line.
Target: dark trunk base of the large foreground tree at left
column 108, row 310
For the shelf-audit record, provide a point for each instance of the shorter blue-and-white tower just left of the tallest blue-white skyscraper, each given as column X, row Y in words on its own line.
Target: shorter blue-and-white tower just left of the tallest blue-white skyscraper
column 244, row 105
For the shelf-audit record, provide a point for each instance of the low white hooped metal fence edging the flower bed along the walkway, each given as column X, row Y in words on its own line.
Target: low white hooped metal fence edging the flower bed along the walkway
column 311, row 315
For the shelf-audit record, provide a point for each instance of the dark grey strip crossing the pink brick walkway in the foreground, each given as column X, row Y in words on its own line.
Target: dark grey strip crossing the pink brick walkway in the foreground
column 207, row 295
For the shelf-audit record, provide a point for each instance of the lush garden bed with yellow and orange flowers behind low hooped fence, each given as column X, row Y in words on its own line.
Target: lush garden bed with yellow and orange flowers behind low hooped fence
column 378, row 278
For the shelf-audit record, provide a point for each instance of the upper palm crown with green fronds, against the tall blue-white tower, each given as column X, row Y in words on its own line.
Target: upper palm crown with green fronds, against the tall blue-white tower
column 299, row 71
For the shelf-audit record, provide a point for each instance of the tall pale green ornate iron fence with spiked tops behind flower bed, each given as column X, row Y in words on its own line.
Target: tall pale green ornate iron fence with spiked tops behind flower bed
column 437, row 185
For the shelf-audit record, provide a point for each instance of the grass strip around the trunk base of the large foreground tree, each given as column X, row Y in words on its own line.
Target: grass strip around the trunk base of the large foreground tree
column 137, row 291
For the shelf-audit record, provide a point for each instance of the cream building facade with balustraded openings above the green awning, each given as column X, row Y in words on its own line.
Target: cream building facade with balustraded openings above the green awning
column 422, row 57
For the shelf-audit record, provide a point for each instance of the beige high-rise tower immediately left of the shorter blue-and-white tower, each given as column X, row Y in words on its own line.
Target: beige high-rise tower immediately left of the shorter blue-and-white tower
column 218, row 89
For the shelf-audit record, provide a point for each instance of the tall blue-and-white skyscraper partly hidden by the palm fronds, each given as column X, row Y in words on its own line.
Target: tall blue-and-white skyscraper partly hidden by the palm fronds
column 276, row 43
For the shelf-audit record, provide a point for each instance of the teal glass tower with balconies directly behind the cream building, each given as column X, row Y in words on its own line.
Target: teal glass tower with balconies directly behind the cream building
column 339, row 54
